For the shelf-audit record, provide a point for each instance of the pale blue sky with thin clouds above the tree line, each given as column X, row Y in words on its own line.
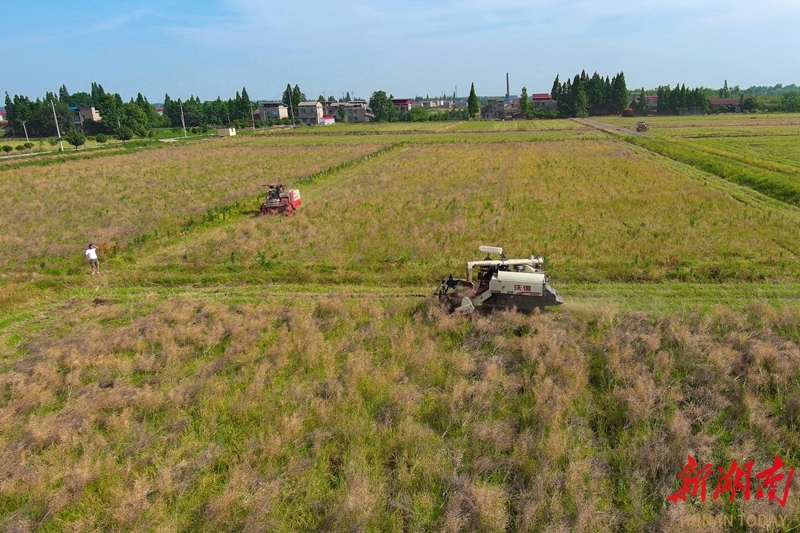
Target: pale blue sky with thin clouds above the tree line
column 211, row 48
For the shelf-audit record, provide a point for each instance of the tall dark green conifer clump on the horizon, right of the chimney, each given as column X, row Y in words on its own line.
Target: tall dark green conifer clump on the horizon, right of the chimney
column 583, row 95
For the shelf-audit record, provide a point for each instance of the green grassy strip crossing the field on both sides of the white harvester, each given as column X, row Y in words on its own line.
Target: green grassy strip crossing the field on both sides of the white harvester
column 663, row 296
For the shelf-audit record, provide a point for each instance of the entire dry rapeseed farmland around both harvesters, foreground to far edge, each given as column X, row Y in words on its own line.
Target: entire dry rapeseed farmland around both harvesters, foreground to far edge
column 281, row 374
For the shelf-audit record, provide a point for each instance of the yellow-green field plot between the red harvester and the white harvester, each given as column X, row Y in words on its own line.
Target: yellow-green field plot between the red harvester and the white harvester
column 597, row 211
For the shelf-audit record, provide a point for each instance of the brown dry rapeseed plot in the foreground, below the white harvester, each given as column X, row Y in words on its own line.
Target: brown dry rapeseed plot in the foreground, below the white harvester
column 350, row 415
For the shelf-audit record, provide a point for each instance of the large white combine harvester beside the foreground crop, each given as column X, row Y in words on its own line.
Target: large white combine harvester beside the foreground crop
column 500, row 284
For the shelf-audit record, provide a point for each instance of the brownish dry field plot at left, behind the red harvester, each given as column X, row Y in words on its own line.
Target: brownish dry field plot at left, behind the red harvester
column 51, row 212
